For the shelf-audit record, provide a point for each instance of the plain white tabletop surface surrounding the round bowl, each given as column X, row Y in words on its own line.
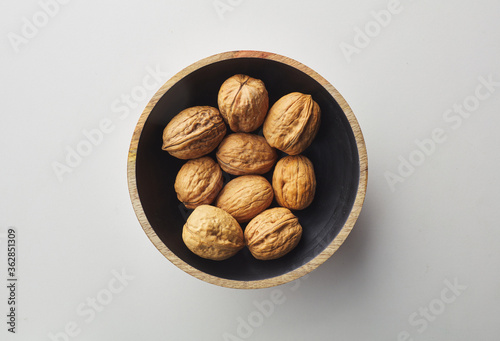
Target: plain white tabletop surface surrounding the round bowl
column 437, row 225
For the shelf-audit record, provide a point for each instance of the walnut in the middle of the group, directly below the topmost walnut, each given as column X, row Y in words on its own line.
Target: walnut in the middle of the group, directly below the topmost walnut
column 244, row 154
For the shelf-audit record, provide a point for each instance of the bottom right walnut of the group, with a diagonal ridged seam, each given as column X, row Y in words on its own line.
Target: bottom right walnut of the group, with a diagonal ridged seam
column 273, row 233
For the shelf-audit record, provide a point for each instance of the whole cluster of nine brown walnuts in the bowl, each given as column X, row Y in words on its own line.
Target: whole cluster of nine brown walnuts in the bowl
column 213, row 229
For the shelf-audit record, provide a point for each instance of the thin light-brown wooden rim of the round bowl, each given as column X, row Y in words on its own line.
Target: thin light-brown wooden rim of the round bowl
column 306, row 267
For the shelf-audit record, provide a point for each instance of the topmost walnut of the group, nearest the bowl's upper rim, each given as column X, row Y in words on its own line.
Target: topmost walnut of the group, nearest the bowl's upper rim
column 243, row 103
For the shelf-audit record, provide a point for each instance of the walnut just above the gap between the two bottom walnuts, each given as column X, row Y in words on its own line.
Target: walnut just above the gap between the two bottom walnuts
column 246, row 196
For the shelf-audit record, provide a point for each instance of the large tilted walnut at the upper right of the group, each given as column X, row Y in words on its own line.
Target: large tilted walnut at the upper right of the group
column 292, row 123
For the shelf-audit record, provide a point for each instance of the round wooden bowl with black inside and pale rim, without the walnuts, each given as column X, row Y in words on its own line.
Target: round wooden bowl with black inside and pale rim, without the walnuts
column 338, row 154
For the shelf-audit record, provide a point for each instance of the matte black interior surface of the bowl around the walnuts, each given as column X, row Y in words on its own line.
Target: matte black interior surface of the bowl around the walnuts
column 333, row 153
